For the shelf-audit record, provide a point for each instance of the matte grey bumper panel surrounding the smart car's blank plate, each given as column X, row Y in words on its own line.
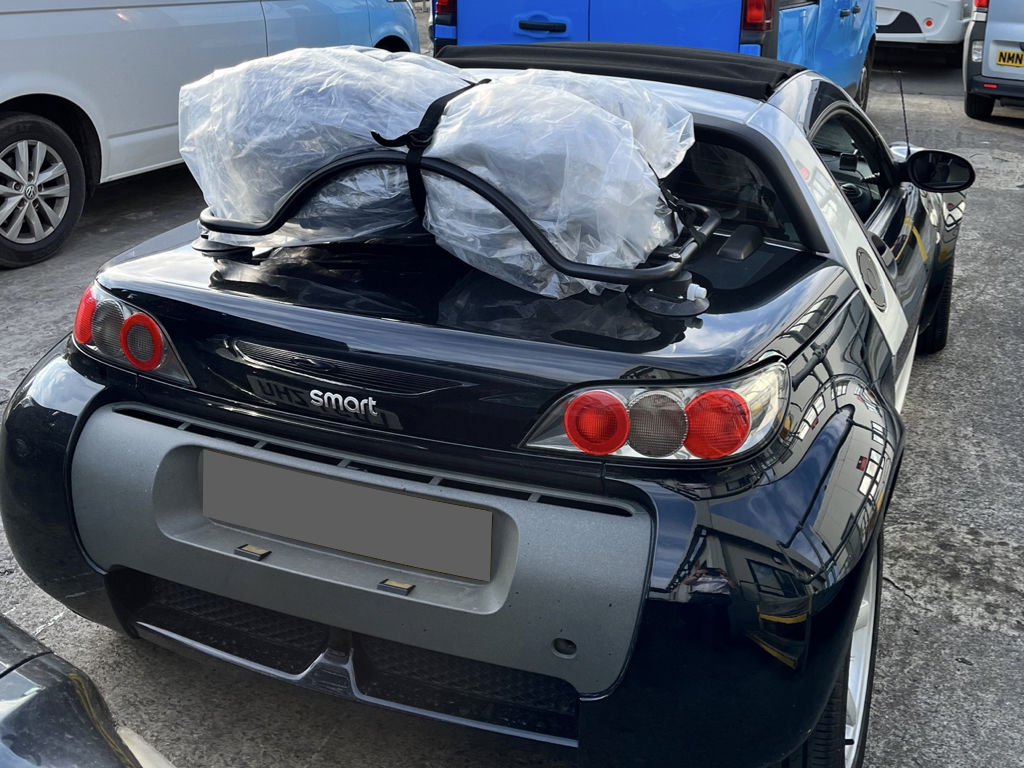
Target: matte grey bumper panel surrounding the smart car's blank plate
column 558, row 572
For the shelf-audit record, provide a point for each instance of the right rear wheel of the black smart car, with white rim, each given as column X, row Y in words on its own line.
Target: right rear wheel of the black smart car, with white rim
column 829, row 746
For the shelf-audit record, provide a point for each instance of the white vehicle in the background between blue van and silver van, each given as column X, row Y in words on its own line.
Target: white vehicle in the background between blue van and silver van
column 931, row 23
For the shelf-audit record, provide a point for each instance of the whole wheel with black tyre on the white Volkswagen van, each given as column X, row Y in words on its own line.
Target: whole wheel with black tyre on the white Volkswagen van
column 42, row 189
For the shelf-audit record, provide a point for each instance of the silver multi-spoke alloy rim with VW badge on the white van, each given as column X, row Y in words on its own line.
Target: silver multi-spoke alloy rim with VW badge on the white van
column 35, row 188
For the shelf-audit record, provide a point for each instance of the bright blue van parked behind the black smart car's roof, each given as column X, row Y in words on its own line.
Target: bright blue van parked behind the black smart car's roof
column 834, row 37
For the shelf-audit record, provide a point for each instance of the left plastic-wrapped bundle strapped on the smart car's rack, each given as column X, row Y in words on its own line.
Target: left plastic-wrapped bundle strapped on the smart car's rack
column 252, row 133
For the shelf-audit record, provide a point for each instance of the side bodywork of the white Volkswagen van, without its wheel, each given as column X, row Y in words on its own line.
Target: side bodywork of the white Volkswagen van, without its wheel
column 148, row 50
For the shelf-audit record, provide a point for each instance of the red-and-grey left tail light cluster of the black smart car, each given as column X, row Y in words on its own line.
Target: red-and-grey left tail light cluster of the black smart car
column 118, row 333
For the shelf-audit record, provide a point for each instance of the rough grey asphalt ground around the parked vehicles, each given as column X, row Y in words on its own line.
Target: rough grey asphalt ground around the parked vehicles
column 950, row 687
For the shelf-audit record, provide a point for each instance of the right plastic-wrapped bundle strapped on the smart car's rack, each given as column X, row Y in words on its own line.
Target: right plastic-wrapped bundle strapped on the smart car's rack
column 576, row 168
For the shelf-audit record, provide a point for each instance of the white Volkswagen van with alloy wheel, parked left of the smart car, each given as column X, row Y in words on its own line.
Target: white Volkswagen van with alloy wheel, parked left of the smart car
column 90, row 93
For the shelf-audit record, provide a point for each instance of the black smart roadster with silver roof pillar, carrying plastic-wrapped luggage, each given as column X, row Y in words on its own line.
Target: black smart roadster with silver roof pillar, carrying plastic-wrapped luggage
column 646, row 525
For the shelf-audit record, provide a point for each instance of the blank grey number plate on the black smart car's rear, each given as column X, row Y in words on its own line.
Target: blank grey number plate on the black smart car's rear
column 368, row 522
